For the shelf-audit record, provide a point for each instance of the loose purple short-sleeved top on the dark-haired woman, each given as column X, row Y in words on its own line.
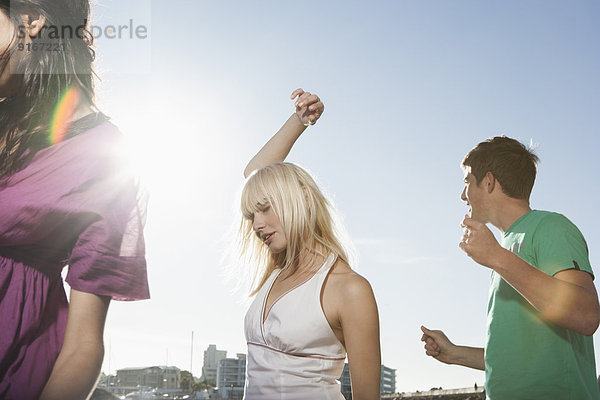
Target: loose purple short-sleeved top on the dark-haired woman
column 76, row 203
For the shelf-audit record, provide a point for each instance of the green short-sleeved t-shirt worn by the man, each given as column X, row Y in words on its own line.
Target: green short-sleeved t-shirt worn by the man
column 525, row 357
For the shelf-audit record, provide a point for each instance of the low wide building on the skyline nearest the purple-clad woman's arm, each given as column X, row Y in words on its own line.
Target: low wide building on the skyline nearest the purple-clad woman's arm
column 158, row 377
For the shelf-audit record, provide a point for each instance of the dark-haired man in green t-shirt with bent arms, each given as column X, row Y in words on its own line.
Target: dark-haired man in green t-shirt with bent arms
column 543, row 307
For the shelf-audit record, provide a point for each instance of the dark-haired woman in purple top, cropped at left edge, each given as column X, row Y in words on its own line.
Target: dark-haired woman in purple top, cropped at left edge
column 67, row 197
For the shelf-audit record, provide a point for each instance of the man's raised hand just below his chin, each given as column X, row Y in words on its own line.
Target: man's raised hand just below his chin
column 479, row 242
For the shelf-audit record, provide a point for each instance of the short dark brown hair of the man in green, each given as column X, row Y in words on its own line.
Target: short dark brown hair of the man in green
column 511, row 163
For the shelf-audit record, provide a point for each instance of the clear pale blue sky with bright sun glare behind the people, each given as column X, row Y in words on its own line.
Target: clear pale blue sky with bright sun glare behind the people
column 409, row 88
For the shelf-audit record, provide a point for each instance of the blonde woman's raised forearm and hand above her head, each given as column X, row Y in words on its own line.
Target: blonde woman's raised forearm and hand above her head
column 308, row 110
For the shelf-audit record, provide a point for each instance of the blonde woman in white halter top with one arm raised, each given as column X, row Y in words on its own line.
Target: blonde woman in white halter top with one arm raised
column 310, row 309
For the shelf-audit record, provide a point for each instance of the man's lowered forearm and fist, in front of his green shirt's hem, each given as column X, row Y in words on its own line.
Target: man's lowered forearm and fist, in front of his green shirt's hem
column 438, row 346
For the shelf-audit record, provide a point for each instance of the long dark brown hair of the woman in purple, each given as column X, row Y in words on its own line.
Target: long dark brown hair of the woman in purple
column 43, row 76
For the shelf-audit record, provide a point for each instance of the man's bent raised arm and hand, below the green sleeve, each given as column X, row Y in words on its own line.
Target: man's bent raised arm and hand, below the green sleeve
column 568, row 298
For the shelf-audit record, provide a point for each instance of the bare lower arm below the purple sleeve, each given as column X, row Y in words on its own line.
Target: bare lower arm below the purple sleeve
column 78, row 365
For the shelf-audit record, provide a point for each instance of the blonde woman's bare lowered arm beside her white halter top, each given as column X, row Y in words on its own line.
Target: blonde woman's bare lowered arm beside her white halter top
column 360, row 326
